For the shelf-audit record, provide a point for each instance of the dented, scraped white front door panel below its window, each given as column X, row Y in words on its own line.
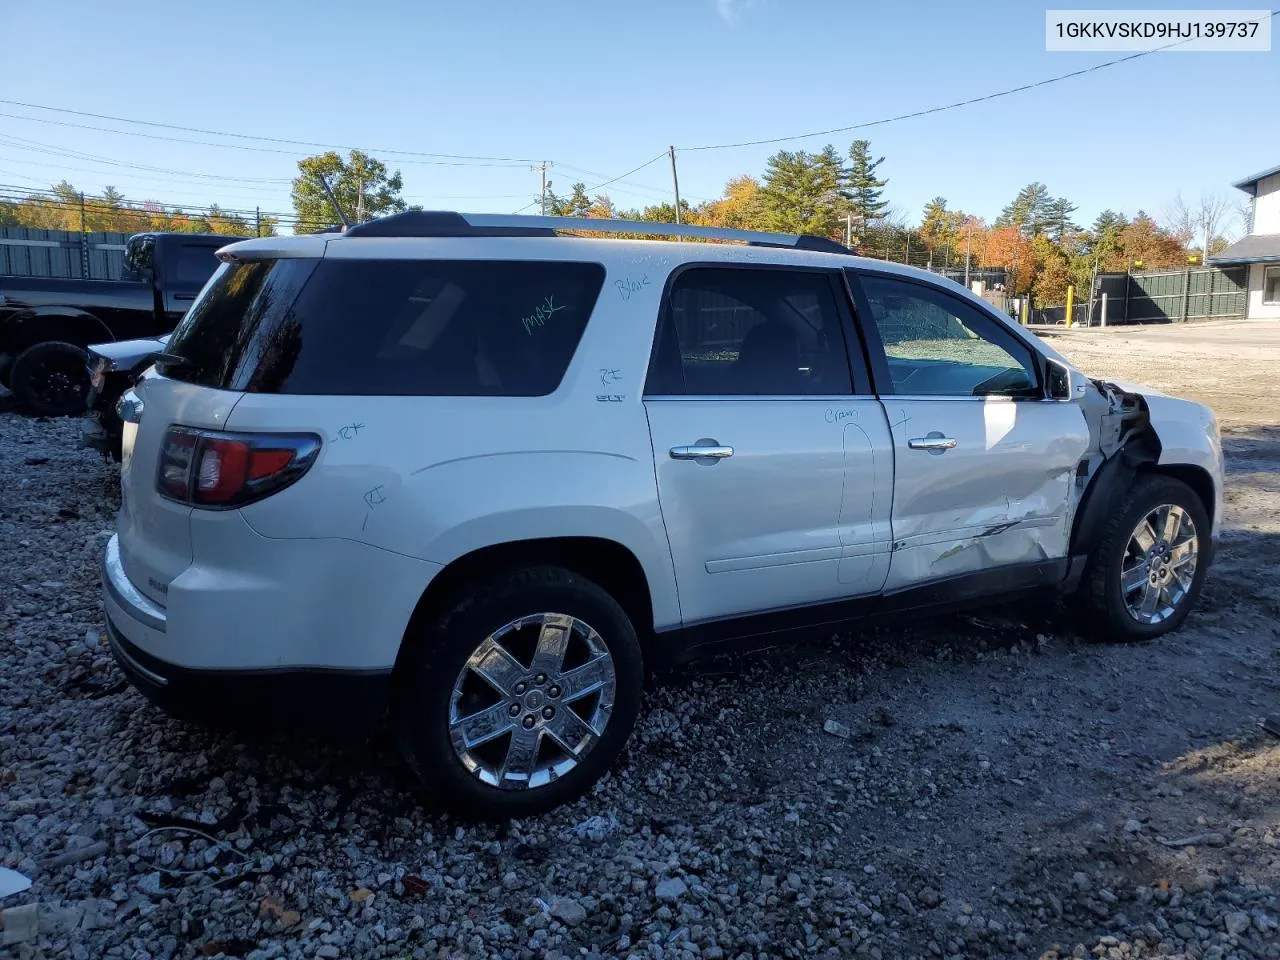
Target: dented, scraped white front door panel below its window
column 1002, row 495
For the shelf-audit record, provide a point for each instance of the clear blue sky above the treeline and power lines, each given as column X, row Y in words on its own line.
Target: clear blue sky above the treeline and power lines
column 601, row 88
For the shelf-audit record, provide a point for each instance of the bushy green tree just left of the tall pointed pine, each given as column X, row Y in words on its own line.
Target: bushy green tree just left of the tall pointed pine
column 804, row 193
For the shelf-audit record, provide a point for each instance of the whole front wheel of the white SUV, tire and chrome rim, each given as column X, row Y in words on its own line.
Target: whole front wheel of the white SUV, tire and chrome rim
column 1148, row 570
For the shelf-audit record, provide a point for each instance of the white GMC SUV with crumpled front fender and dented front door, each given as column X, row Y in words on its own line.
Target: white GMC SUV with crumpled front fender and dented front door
column 479, row 476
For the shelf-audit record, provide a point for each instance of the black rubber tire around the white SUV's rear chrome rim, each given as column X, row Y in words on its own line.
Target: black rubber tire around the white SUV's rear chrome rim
column 435, row 660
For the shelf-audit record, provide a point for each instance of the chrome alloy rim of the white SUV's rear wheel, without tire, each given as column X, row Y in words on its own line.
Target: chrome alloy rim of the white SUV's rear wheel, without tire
column 532, row 702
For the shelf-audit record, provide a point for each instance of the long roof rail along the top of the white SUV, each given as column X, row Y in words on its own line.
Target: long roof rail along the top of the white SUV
column 442, row 223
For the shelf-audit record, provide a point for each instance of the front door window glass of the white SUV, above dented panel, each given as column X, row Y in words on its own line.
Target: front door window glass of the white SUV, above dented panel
column 939, row 346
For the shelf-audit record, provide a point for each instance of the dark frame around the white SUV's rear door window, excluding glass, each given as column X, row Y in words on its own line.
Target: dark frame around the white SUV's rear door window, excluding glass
column 860, row 377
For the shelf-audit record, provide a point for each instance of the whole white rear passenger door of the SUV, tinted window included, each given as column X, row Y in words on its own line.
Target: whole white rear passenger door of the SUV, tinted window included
column 772, row 458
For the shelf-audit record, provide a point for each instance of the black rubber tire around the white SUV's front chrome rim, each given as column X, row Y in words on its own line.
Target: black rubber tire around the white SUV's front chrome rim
column 1107, row 614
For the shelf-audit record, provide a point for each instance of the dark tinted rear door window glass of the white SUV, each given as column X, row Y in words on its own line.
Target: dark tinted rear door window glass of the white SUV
column 751, row 332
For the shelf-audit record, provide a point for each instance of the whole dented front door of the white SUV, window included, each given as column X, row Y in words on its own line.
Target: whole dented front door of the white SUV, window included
column 984, row 463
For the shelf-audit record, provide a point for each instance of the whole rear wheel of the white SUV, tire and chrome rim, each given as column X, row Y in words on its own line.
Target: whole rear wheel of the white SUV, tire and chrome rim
column 522, row 697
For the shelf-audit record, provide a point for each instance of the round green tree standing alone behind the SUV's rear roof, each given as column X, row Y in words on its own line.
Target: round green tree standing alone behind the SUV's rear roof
column 360, row 182
